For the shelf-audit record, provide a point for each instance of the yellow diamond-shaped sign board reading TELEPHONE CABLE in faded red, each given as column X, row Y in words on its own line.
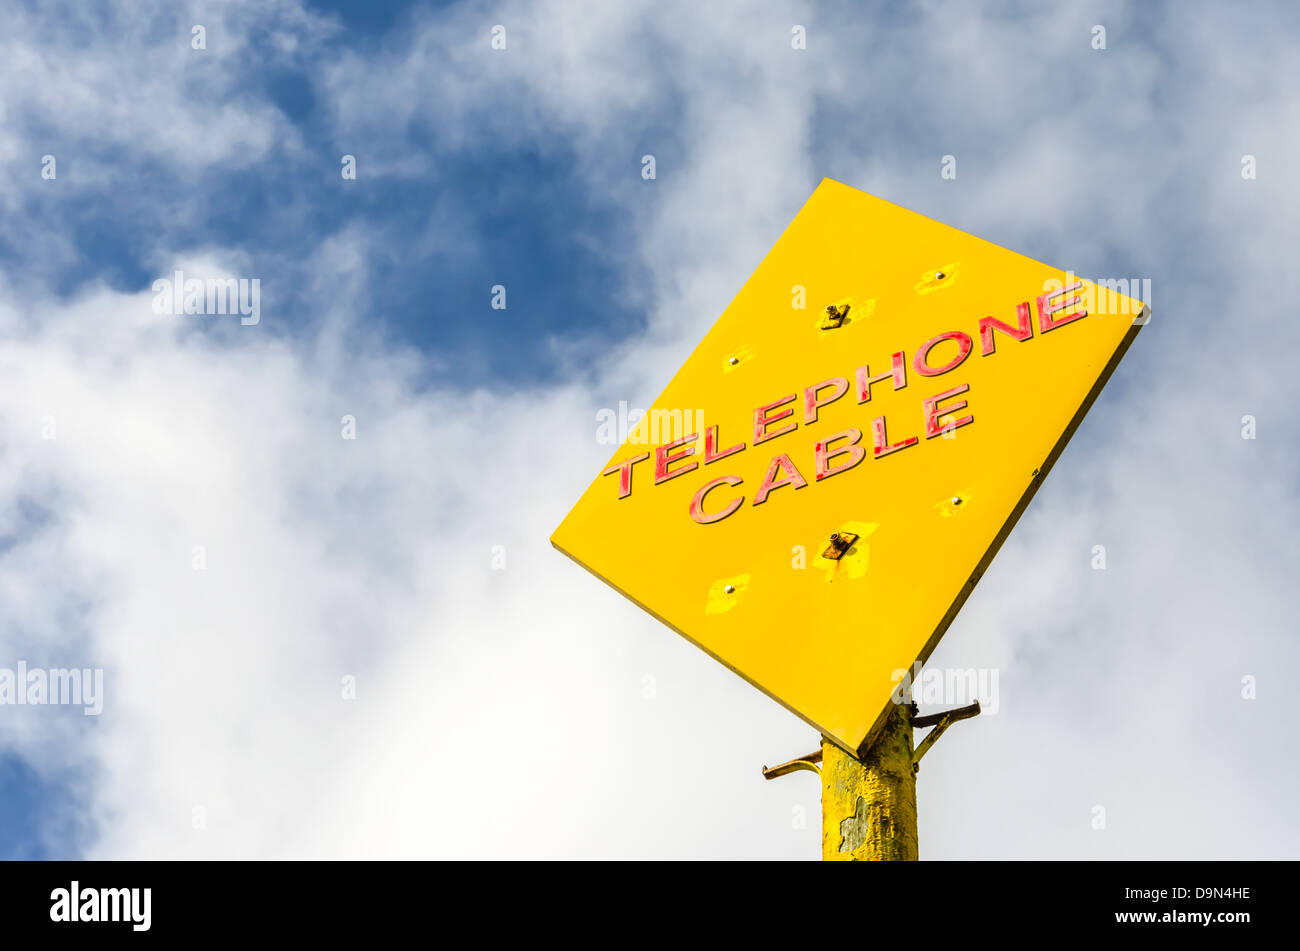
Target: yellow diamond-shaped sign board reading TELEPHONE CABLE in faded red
column 879, row 405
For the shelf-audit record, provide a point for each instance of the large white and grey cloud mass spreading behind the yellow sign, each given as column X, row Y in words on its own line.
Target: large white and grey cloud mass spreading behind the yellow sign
column 501, row 714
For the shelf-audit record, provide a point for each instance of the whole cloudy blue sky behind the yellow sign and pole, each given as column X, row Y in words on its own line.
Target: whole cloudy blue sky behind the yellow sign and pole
column 317, row 646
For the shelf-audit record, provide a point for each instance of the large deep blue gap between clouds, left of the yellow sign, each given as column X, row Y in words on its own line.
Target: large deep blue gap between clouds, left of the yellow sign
column 517, row 211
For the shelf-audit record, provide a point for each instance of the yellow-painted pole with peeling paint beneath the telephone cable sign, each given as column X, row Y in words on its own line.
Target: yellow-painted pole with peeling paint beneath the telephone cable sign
column 869, row 807
